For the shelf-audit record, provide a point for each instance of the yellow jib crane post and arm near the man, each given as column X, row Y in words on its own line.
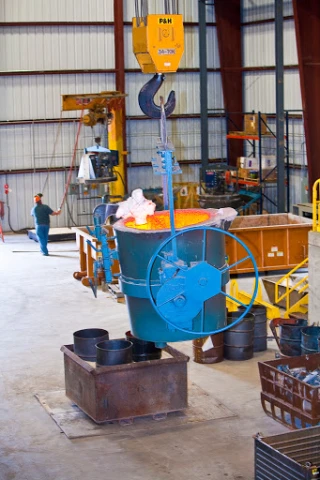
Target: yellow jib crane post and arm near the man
column 106, row 108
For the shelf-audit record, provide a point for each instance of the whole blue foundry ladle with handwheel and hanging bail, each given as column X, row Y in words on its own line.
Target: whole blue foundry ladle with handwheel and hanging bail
column 174, row 280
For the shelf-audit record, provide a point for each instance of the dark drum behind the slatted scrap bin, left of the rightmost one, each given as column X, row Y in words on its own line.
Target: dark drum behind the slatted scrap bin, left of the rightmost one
column 290, row 336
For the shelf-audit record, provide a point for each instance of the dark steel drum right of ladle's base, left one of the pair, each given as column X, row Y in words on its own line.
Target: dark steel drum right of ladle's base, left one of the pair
column 238, row 340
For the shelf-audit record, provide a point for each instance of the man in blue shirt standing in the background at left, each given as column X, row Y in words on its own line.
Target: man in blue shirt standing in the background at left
column 41, row 214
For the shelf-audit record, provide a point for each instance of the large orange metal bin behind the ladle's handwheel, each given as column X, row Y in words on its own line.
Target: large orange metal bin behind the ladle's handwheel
column 277, row 241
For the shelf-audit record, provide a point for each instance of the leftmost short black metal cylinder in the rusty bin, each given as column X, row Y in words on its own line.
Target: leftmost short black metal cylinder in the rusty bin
column 84, row 342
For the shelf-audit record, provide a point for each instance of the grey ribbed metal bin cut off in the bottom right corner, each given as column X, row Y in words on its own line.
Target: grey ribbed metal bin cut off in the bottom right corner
column 288, row 456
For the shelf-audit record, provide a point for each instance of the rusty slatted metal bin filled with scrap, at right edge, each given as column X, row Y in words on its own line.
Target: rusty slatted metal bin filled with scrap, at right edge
column 285, row 398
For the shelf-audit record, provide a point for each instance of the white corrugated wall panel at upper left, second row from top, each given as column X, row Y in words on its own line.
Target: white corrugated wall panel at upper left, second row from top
column 56, row 47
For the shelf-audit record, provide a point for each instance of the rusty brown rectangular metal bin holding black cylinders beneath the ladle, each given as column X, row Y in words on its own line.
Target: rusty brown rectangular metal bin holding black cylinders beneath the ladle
column 122, row 392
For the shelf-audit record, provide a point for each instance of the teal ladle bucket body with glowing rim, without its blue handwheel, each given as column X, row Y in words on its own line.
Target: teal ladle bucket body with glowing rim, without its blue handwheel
column 135, row 250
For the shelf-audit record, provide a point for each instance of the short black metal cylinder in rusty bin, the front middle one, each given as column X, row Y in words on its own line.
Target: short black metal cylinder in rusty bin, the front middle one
column 114, row 352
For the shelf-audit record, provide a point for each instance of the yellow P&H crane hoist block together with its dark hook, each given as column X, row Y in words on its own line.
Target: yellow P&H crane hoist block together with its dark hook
column 158, row 44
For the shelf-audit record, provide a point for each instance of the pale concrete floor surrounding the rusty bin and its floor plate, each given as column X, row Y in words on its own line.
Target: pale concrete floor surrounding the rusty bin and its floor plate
column 41, row 306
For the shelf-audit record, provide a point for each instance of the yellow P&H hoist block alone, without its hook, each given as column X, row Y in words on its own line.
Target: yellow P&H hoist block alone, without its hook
column 158, row 42
